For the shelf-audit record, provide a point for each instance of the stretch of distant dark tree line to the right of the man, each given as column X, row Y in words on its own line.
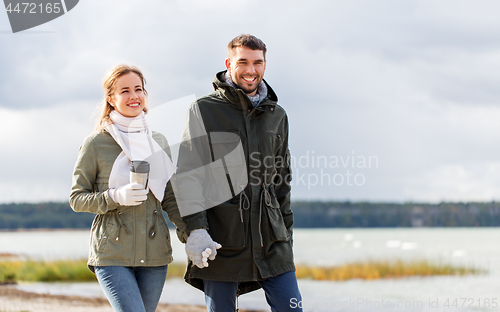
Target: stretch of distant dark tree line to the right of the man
column 364, row 214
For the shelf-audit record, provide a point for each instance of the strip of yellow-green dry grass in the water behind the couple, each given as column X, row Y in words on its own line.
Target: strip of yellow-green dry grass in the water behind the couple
column 77, row 271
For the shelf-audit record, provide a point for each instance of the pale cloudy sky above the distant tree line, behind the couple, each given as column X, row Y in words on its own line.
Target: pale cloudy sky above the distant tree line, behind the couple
column 388, row 100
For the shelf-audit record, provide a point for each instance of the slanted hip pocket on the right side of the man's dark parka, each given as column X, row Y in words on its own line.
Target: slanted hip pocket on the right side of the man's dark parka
column 278, row 232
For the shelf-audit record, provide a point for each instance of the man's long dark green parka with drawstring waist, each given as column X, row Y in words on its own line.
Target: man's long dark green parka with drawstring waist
column 254, row 227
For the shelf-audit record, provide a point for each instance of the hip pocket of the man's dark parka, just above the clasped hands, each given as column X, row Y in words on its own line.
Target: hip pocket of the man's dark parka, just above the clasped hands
column 225, row 227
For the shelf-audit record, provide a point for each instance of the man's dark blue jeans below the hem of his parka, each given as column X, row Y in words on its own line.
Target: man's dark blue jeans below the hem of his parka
column 282, row 294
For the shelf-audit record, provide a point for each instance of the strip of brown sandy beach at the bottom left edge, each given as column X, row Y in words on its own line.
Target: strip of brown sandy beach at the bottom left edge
column 13, row 300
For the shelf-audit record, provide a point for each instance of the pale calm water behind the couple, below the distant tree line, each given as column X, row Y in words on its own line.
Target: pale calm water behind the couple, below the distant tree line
column 472, row 247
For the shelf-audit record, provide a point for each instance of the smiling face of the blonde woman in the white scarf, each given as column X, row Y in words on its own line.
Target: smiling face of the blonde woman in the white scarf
column 128, row 97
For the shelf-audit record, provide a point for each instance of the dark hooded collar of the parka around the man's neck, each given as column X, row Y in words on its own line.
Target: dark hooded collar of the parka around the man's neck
column 233, row 95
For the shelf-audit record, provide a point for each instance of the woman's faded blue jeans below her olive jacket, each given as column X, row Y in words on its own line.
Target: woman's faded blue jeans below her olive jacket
column 132, row 289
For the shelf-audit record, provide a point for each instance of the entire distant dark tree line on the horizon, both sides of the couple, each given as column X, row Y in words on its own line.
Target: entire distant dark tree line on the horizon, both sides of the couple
column 307, row 214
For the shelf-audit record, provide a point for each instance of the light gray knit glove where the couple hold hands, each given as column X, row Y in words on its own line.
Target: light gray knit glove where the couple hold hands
column 200, row 247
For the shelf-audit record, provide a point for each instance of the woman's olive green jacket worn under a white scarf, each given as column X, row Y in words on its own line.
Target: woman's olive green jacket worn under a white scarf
column 121, row 235
